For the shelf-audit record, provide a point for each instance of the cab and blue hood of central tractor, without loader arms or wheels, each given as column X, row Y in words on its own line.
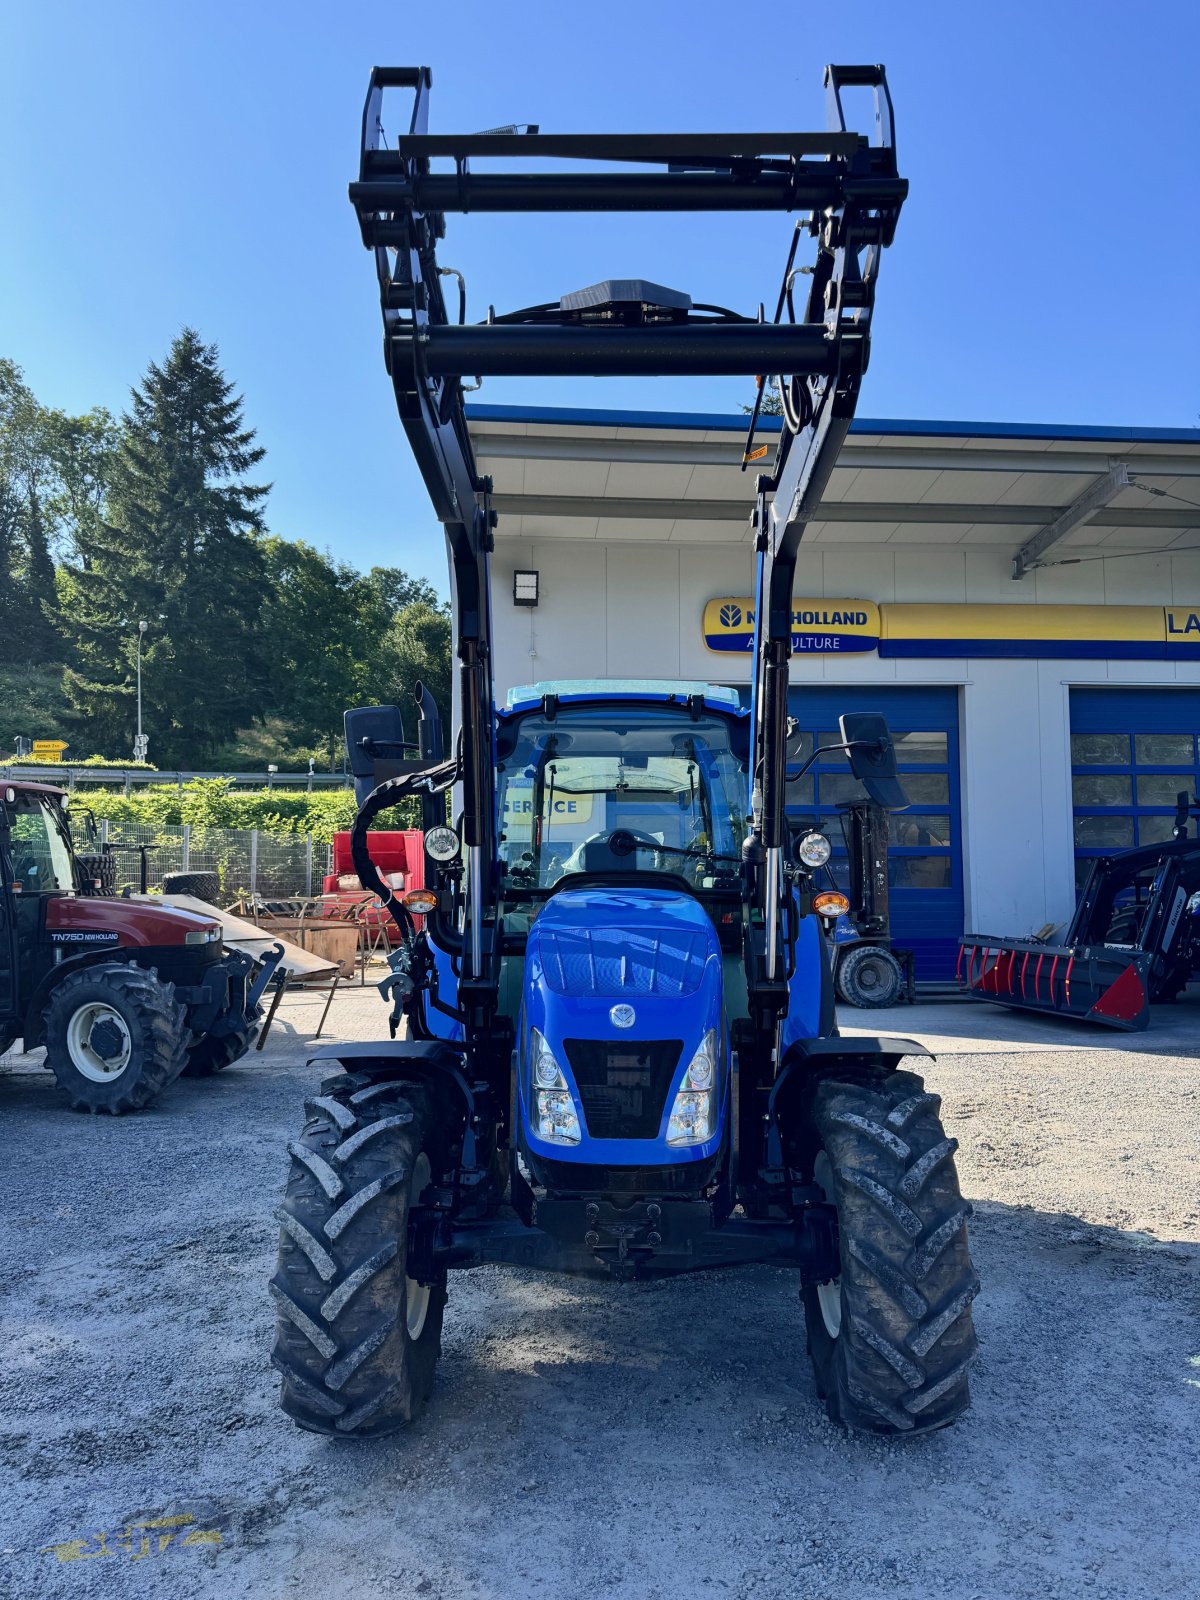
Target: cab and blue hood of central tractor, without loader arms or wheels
column 620, row 828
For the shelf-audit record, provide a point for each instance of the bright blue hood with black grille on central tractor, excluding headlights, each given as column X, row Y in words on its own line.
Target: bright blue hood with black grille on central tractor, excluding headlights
column 623, row 985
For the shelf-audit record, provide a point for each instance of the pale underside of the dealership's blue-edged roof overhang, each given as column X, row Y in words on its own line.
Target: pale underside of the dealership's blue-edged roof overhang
column 1039, row 492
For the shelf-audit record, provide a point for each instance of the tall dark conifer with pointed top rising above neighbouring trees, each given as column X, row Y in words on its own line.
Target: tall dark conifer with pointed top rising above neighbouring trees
column 180, row 548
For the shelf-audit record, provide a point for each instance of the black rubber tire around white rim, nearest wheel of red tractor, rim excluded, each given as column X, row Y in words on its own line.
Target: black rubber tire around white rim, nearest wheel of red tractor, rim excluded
column 158, row 1028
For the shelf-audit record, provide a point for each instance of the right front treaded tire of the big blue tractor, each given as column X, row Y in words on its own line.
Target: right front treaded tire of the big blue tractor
column 898, row 1361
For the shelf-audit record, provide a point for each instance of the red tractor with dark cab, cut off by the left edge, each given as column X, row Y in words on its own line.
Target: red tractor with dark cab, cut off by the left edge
column 124, row 991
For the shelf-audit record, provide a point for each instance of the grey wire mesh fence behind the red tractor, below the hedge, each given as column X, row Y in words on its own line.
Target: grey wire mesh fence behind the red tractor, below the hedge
column 247, row 862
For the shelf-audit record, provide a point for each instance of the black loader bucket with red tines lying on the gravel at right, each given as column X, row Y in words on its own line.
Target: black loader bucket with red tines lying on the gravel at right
column 1094, row 983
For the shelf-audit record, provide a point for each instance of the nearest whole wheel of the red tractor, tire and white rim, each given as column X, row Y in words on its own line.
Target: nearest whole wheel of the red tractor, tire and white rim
column 116, row 1038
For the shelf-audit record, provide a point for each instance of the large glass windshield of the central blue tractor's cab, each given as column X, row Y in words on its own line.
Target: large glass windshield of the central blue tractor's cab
column 620, row 790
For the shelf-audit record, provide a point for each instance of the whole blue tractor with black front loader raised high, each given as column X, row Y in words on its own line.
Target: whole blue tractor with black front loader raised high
column 614, row 1036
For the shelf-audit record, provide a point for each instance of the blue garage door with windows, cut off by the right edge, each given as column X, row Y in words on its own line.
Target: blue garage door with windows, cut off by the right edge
column 1132, row 751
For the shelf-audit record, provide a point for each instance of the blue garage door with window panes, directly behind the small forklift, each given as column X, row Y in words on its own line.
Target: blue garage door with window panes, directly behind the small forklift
column 927, row 873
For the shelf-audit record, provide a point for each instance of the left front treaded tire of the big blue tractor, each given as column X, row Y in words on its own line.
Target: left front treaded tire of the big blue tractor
column 350, row 1364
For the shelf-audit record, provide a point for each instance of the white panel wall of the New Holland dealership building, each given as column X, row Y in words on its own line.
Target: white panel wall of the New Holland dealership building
column 631, row 609
